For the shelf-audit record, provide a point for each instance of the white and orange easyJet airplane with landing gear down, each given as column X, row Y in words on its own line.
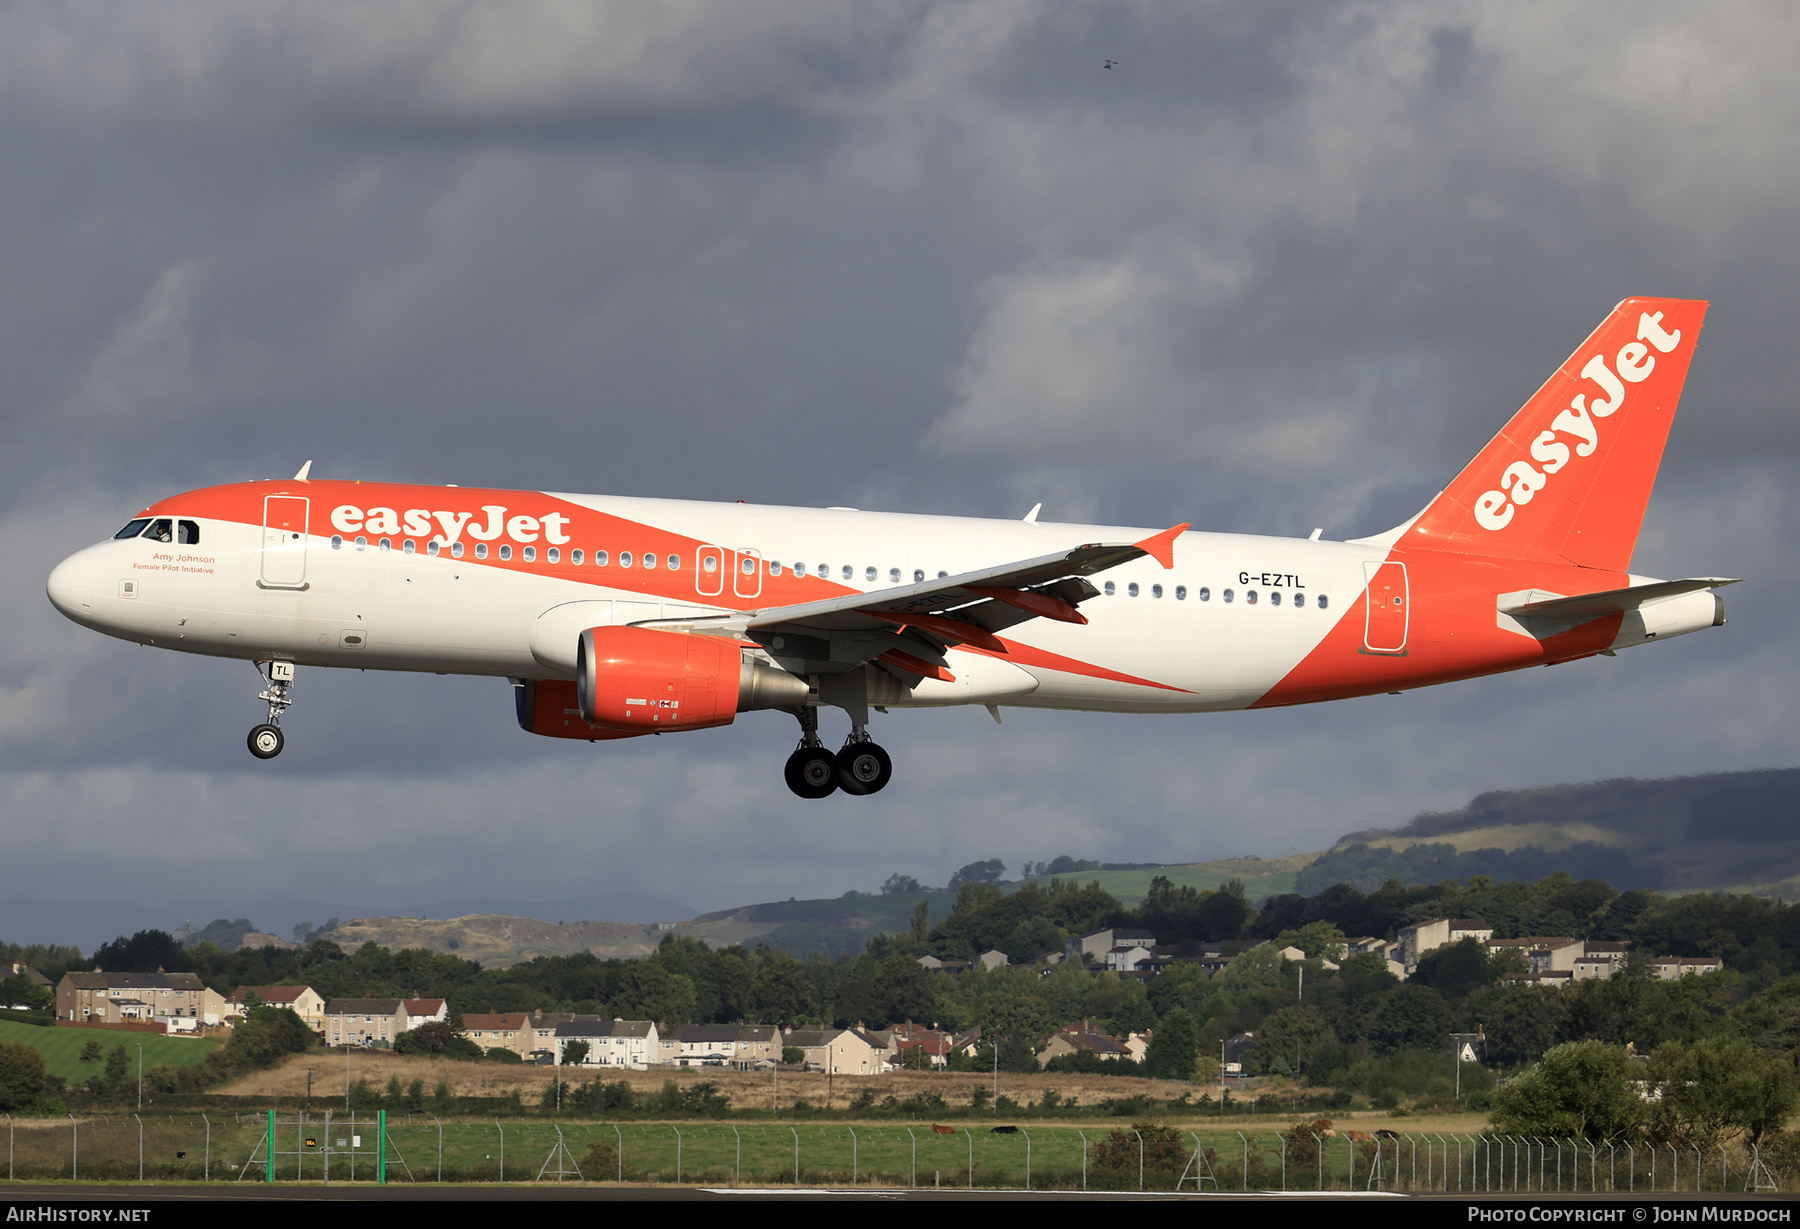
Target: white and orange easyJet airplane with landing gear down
column 618, row 618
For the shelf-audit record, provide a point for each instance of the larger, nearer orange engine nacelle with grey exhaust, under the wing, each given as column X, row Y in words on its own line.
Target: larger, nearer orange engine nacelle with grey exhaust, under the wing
column 640, row 681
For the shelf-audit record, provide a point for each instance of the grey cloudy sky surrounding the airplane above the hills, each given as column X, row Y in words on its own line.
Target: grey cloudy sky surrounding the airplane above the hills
column 1286, row 265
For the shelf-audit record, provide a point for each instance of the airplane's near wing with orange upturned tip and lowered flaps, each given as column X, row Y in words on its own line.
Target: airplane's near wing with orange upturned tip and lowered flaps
column 910, row 627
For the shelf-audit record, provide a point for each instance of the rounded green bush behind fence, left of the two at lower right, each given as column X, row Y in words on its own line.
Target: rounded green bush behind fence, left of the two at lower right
column 1579, row 1091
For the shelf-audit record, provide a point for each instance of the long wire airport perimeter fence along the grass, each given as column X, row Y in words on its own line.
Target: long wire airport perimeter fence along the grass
column 372, row 1147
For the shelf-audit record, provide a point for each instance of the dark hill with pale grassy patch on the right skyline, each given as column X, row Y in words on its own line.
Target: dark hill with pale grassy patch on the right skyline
column 1723, row 830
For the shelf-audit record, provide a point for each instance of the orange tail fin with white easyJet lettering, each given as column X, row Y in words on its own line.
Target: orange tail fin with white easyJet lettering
column 1572, row 472
